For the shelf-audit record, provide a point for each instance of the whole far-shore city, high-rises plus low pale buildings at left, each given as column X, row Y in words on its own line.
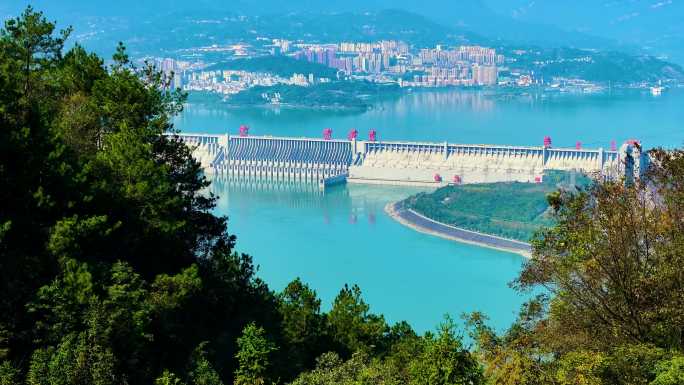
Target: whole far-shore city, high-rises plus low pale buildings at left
column 382, row 61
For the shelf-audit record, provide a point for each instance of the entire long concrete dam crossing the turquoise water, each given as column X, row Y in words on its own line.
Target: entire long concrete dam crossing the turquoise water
column 326, row 161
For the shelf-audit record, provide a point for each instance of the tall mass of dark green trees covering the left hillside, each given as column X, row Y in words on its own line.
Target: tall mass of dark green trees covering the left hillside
column 92, row 179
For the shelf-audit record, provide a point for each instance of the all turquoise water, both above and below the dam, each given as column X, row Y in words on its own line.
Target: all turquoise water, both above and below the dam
column 344, row 236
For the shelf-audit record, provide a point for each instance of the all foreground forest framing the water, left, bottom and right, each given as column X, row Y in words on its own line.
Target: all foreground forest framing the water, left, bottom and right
column 114, row 270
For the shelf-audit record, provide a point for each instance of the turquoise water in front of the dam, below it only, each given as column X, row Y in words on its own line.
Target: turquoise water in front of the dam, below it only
column 345, row 236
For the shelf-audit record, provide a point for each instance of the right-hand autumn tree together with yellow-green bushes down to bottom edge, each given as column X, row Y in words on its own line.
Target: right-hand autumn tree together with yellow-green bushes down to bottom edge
column 611, row 271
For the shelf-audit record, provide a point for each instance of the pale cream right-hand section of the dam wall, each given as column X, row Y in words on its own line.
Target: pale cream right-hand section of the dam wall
column 432, row 163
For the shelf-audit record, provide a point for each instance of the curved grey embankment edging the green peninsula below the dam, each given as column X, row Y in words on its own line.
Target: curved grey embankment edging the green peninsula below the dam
column 423, row 224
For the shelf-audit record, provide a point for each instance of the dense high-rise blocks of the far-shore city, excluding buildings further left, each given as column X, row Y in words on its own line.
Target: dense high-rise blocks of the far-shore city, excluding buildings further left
column 427, row 67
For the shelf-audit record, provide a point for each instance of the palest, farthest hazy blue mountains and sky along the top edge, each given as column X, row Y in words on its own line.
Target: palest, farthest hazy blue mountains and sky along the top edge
column 628, row 25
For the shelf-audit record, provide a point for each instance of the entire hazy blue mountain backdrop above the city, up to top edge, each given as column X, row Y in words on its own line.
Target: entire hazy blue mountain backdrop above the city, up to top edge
column 540, row 27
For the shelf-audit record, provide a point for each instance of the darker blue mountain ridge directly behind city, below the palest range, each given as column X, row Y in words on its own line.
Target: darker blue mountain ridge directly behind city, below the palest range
column 171, row 30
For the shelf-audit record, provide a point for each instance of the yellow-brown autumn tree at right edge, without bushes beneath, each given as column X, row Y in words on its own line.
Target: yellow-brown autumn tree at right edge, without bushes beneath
column 612, row 263
